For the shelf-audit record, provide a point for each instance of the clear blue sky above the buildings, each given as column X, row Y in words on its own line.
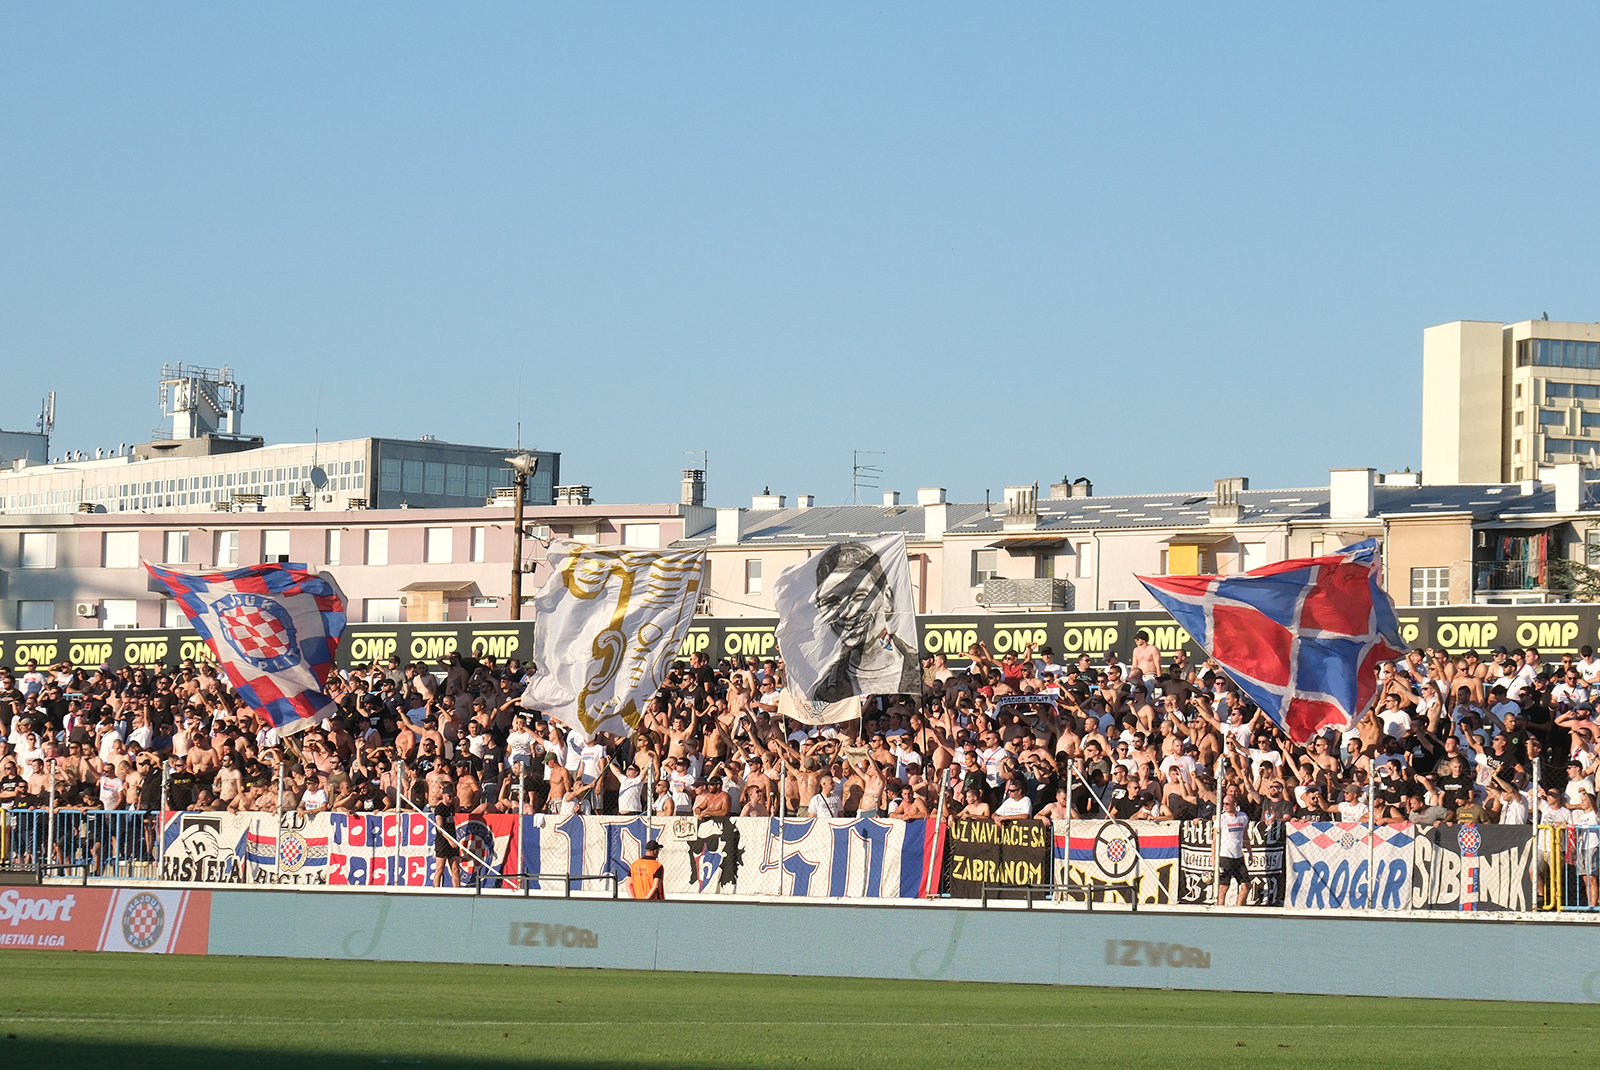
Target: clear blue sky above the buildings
column 1146, row 244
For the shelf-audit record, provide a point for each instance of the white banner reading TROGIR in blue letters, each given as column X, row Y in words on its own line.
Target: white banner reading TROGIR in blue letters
column 1329, row 866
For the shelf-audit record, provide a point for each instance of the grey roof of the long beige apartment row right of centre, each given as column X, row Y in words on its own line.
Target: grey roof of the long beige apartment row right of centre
column 1180, row 509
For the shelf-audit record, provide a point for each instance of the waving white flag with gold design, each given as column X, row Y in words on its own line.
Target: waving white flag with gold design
column 610, row 623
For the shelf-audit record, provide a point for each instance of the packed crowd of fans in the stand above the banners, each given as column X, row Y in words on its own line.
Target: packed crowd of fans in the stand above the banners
column 1449, row 740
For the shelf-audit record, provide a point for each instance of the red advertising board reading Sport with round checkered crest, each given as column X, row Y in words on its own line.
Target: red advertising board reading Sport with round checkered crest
column 153, row 920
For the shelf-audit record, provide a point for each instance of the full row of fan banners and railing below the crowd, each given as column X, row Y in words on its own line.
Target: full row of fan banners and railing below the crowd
column 1306, row 866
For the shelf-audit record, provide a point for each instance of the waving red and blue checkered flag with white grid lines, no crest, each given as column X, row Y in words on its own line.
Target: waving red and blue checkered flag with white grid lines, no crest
column 1302, row 639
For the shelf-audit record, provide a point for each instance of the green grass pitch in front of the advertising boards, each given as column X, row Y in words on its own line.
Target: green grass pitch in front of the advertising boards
column 66, row 1010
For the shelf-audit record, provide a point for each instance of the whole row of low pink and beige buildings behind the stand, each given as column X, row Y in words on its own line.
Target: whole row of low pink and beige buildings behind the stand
column 1481, row 543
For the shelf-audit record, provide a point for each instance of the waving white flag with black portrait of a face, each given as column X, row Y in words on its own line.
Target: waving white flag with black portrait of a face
column 847, row 623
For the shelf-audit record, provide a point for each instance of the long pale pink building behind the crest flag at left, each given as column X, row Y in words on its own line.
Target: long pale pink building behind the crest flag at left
column 84, row 570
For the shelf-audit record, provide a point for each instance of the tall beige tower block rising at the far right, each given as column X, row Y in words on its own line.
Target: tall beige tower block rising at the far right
column 1505, row 401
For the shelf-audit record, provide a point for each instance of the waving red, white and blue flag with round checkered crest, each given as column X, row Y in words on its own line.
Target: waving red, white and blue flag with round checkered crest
column 273, row 628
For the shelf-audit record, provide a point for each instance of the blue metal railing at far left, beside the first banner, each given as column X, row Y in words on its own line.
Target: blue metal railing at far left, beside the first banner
column 121, row 844
